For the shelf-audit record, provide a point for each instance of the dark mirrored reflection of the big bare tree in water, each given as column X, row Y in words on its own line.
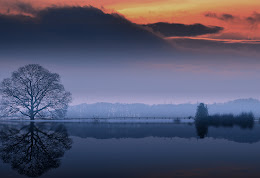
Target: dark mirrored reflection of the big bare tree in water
column 35, row 148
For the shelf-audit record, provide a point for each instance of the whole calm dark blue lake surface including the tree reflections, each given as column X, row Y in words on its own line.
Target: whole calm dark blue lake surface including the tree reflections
column 127, row 150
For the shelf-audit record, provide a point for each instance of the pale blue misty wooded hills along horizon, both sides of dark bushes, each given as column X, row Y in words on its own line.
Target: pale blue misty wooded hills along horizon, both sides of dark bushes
column 160, row 110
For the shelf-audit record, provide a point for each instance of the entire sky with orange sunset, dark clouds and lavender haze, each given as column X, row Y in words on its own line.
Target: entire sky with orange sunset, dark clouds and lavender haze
column 105, row 54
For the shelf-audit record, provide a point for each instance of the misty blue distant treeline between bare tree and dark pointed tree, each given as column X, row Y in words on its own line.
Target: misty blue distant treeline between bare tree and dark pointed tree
column 108, row 110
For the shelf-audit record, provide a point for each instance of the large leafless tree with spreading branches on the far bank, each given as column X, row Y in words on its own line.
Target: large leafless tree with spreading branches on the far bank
column 34, row 91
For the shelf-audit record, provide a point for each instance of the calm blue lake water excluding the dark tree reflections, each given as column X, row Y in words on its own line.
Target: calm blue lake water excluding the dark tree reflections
column 154, row 150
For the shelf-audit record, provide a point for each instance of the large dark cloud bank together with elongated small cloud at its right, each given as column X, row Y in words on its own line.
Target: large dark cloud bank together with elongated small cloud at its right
column 88, row 30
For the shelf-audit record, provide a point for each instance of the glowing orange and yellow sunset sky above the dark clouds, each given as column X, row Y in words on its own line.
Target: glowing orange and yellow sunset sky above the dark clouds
column 240, row 18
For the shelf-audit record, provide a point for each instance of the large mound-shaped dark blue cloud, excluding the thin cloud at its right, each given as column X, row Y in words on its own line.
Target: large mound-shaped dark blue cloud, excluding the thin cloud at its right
column 77, row 28
